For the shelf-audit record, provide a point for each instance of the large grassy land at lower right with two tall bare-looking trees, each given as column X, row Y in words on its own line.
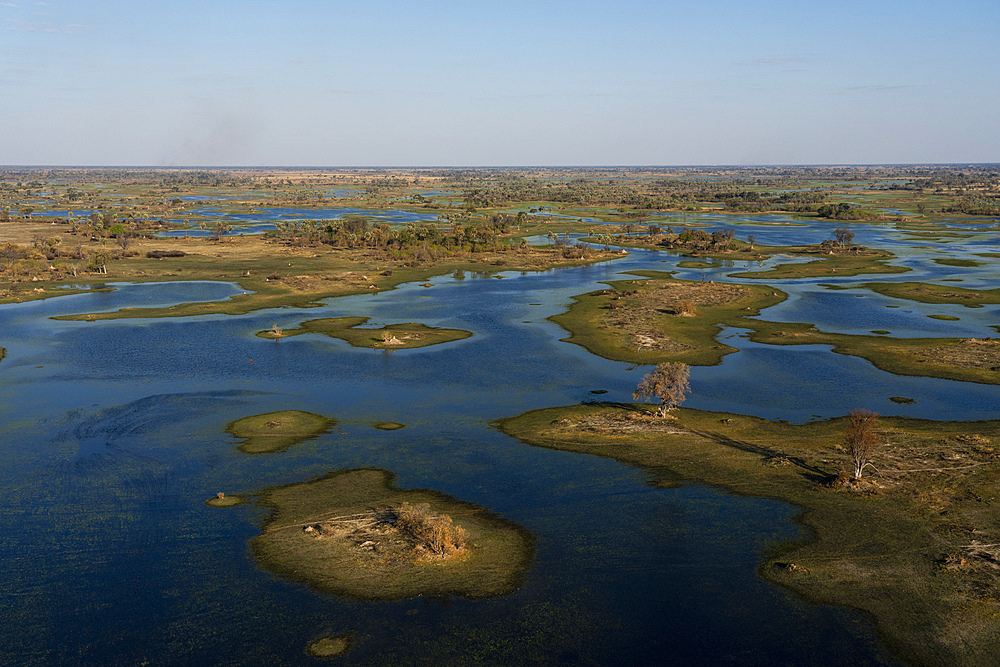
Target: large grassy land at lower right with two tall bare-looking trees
column 915, row 546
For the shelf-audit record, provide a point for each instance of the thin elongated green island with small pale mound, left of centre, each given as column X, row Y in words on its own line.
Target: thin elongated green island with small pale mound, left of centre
column 392, row 336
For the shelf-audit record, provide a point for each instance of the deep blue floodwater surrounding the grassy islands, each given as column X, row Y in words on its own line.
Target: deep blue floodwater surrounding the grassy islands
column 113, row 437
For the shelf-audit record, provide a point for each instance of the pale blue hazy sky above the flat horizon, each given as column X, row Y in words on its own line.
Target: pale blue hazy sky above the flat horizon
column 502, row 83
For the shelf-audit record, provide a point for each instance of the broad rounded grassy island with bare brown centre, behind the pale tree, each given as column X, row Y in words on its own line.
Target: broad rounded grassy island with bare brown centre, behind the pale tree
column 662, row 319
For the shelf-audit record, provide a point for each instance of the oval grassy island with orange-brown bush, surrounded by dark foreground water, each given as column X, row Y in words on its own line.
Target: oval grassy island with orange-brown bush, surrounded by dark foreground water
column 352, row 533
